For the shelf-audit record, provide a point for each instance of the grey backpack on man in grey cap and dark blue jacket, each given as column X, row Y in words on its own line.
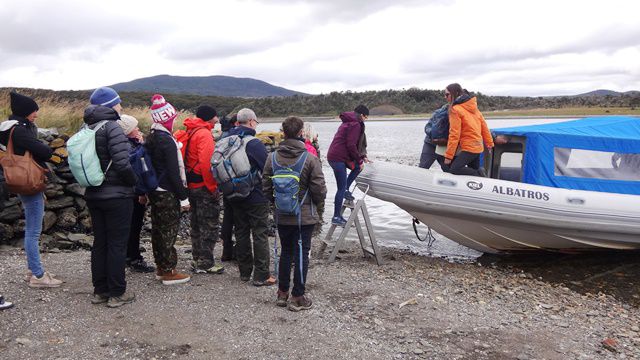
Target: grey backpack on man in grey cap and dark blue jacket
column 231, row 167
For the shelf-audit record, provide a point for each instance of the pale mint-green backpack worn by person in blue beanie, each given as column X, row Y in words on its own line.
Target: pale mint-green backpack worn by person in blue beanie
column 83, row 157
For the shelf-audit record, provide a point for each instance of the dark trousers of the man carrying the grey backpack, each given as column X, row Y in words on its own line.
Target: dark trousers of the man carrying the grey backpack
column 252, row 219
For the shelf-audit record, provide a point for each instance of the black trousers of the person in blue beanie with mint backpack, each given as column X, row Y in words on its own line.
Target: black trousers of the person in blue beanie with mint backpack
column 111, row 221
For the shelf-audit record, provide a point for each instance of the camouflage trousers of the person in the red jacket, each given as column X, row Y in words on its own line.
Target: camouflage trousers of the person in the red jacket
column 205, row 225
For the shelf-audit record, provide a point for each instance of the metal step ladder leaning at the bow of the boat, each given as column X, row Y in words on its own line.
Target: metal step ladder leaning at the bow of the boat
column 369, row 246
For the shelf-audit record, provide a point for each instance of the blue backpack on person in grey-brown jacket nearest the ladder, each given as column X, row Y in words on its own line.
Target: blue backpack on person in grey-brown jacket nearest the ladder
column 286, row 185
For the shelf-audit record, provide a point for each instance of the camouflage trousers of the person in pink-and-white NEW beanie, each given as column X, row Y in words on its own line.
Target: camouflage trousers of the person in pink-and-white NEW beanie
column 165, row 222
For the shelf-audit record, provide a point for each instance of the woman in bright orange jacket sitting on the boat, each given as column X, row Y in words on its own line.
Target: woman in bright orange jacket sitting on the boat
column 468, row 133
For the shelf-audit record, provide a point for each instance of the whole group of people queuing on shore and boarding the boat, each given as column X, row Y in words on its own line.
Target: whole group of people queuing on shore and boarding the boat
column 186, row 182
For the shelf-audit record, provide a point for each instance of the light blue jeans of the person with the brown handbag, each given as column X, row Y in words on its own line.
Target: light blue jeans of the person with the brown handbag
column 33, row 213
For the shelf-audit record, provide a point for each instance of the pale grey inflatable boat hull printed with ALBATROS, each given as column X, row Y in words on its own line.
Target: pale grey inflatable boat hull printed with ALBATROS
column 492, row 215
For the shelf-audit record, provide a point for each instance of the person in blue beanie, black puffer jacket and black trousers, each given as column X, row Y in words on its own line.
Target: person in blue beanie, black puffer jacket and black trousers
column 110, row 204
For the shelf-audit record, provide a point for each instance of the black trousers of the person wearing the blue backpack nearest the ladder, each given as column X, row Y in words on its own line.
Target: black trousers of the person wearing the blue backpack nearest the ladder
column 289, row 236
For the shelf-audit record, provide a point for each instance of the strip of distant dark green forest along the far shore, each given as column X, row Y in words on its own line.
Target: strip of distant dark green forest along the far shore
column 387, row 102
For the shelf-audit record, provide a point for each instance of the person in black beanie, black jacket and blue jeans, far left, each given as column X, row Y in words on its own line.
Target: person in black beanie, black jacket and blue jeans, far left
column 25, row 138
